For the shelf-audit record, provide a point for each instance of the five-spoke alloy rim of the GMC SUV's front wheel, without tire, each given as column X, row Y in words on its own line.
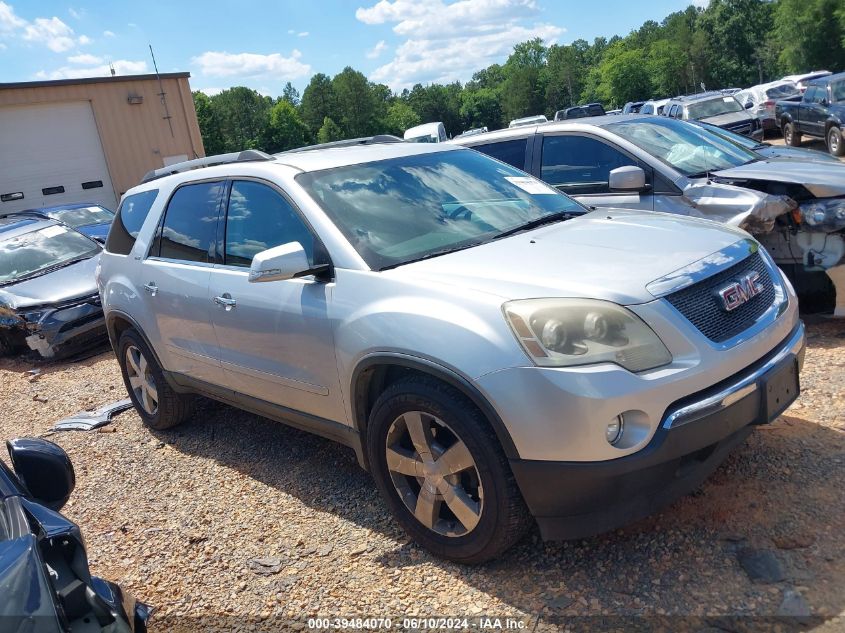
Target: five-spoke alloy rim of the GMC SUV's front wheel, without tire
column 434, row 474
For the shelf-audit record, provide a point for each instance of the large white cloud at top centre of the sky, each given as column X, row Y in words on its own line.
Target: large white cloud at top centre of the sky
column 448, row 41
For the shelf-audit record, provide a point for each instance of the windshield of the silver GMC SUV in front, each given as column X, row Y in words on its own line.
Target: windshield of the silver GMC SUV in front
column 403, row 209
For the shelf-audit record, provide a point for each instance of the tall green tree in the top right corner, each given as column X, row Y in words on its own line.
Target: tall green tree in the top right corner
column 810, row 34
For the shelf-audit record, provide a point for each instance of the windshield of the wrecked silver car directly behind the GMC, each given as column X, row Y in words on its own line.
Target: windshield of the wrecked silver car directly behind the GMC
column 686, row 147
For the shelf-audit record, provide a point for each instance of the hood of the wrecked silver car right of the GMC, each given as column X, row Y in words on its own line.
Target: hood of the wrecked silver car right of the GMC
column 823, row 180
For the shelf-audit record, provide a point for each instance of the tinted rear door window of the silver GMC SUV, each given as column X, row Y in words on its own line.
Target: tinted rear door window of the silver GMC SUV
column 190, row 223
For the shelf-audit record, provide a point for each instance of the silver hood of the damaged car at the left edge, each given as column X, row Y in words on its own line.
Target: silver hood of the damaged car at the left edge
column 65, row 284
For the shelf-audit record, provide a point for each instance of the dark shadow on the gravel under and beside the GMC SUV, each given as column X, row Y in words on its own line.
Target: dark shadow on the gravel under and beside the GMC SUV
column 762, row 537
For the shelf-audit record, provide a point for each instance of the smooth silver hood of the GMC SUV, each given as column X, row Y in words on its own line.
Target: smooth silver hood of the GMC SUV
column 609, row 254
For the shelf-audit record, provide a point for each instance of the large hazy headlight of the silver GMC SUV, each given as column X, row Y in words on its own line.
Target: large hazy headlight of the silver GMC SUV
column 568, row 332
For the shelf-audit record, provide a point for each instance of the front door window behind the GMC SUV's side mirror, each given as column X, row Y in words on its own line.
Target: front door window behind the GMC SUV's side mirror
column 260, row 218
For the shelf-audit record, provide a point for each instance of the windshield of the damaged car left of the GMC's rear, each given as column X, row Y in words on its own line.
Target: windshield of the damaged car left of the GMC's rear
column 30, row 254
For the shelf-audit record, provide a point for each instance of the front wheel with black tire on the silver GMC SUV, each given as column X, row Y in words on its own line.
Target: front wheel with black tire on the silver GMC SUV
column 442, row 472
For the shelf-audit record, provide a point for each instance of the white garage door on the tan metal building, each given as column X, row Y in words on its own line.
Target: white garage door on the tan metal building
column 51, row 154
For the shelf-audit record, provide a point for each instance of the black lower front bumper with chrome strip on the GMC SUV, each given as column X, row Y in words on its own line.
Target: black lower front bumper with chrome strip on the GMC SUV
column 578, row 499
